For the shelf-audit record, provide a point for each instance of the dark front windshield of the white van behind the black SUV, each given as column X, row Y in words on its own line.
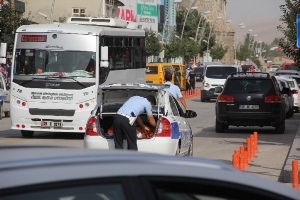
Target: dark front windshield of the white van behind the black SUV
column 221, row 72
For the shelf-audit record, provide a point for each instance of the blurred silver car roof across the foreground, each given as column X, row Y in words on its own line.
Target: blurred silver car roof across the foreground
column 26, row 165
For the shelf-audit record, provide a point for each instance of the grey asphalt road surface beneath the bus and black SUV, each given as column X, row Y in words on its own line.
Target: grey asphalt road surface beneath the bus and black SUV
column 273, row 148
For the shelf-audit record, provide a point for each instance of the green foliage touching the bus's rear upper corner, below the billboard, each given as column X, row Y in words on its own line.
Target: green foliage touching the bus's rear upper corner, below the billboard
column 153, row 46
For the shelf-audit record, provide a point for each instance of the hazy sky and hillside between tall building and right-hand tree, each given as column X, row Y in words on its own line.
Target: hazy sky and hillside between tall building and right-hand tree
column 260, row 16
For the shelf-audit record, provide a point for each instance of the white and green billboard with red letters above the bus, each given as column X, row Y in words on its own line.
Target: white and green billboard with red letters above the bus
column 144, row 12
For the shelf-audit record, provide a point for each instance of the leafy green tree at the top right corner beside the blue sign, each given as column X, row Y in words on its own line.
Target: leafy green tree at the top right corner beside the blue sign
column 288, row 28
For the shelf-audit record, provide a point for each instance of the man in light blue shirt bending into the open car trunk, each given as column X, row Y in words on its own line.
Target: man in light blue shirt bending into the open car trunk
column 124, row 124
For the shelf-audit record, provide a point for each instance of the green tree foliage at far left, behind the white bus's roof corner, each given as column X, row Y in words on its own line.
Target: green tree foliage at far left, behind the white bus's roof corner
column 10, row 20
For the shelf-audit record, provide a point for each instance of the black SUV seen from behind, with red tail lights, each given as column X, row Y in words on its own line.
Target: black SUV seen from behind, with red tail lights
column 250, row 99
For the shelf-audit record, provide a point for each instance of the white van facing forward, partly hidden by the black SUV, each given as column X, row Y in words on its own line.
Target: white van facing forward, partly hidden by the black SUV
column 216, row 75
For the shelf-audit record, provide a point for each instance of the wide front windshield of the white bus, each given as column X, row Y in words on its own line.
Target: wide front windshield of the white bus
column 55, row 63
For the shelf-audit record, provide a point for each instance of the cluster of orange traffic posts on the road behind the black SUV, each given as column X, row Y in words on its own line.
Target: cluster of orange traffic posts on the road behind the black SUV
column 242, row 157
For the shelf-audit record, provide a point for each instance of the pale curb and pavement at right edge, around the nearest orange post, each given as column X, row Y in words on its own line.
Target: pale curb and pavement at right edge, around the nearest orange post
column 294, row 154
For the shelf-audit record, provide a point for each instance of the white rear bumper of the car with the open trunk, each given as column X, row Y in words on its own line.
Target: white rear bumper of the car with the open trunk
column 165, row 146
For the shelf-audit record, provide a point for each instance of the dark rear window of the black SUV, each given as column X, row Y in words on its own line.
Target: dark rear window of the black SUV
column 249, row 86
